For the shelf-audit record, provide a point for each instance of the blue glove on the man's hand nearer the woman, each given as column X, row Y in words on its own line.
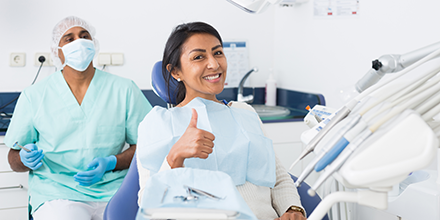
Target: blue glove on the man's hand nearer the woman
column 98, row 167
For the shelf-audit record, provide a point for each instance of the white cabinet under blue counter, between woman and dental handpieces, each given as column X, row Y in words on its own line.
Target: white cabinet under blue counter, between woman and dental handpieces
column 286, row 138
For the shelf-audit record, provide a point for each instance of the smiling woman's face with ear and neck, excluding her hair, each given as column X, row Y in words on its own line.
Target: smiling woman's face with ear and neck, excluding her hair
column 203, row 67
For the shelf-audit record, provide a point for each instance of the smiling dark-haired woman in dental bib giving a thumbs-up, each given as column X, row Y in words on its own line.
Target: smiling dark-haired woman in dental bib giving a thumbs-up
column 205, row 133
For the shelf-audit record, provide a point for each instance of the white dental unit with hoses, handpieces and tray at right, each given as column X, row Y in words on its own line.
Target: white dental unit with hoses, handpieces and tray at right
column 387, row 108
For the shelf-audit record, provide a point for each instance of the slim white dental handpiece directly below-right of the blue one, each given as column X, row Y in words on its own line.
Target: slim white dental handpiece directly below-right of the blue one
column 337, row 164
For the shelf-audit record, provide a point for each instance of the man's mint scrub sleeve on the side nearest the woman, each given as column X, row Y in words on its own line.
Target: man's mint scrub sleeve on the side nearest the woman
column 137, row 107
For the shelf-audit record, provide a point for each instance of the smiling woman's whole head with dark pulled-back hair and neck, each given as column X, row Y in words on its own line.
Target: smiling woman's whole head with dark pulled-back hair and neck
column 184, row 51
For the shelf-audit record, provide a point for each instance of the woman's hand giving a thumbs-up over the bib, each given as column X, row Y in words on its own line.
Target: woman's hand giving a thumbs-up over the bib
column 193, row 143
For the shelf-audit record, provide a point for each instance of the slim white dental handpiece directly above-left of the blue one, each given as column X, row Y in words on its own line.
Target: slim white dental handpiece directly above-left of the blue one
column 306, row 172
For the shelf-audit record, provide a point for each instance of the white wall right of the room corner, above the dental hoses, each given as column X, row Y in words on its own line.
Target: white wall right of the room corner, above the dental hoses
column 325, row 55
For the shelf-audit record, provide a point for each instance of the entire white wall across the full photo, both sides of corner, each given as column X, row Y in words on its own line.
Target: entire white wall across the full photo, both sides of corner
column 319, row 55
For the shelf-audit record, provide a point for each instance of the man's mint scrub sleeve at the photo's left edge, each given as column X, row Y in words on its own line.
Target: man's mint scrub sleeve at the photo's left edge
column 21, row 129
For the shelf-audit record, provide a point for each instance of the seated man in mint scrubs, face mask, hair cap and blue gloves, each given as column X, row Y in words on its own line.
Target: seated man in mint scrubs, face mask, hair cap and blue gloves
column 76, row 123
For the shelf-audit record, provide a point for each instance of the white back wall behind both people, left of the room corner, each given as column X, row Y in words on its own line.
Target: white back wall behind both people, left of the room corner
column 138, row 29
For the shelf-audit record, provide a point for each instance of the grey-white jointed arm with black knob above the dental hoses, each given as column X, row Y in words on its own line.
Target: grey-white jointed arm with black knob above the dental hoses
column 391, row 63
